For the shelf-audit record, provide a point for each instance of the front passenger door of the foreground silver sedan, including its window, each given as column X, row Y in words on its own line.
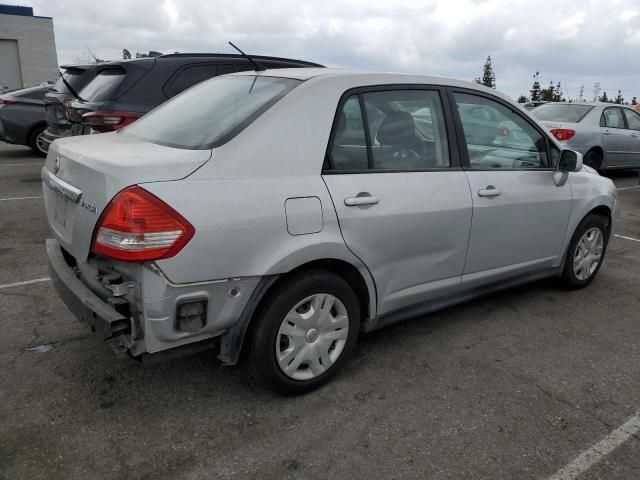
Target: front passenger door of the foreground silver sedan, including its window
column 520, row 215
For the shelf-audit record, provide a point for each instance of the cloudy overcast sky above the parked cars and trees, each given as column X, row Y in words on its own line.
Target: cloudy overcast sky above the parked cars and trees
column 577, row 42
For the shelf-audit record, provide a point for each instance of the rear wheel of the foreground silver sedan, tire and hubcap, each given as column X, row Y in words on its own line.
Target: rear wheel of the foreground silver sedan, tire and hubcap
column 305, row 333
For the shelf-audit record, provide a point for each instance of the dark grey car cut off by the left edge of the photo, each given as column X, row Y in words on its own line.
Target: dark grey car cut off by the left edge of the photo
column 22, row 117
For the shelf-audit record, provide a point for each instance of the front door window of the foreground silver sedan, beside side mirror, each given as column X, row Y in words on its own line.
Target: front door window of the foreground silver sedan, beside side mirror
column 497, row 137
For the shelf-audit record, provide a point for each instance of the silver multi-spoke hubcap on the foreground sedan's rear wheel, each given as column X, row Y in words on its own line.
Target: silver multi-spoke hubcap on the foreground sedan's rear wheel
column 312, row 336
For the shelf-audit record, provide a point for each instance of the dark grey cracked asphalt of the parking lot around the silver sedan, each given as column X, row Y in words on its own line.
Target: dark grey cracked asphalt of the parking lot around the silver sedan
column 514, row 385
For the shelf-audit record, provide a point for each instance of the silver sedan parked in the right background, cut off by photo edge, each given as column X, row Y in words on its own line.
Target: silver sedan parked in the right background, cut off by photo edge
column 608, row 135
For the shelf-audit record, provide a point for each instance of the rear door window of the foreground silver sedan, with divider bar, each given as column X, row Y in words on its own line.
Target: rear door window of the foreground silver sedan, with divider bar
column 405, row 131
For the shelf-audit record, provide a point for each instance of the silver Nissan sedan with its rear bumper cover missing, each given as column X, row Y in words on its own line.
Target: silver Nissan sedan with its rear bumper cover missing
column 280, row 213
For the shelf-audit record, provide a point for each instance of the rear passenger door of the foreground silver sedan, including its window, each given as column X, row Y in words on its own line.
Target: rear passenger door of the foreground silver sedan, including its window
column 402, row 200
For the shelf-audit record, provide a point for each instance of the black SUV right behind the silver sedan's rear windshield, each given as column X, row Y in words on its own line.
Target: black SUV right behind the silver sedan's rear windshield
column 124, row 90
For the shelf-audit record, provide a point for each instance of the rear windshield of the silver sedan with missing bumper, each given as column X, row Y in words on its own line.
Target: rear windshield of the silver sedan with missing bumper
column 212, row 112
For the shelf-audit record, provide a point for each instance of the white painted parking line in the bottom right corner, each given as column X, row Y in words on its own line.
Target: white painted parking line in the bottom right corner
column 593, row 455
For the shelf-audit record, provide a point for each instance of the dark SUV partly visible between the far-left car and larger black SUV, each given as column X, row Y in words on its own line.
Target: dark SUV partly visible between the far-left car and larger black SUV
column 73, row 79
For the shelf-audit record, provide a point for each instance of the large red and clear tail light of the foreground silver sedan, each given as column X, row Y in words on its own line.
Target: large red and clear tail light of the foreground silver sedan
column 139, row 227
